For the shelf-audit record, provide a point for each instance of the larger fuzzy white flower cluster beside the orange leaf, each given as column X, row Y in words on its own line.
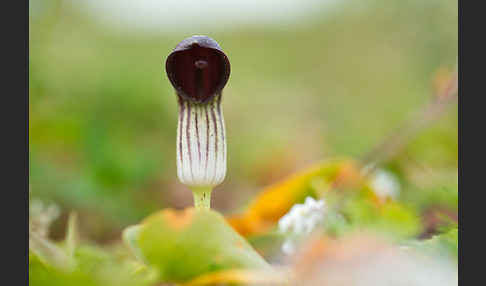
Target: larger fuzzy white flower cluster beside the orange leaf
column 300, row 221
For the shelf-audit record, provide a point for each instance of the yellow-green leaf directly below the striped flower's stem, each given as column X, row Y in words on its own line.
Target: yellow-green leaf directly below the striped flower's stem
column 185, row 245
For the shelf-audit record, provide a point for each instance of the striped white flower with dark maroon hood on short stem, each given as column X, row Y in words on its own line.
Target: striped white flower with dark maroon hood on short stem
column 198, row 69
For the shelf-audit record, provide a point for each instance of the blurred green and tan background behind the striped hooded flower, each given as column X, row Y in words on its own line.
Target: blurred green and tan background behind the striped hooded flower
column 331, row 81
